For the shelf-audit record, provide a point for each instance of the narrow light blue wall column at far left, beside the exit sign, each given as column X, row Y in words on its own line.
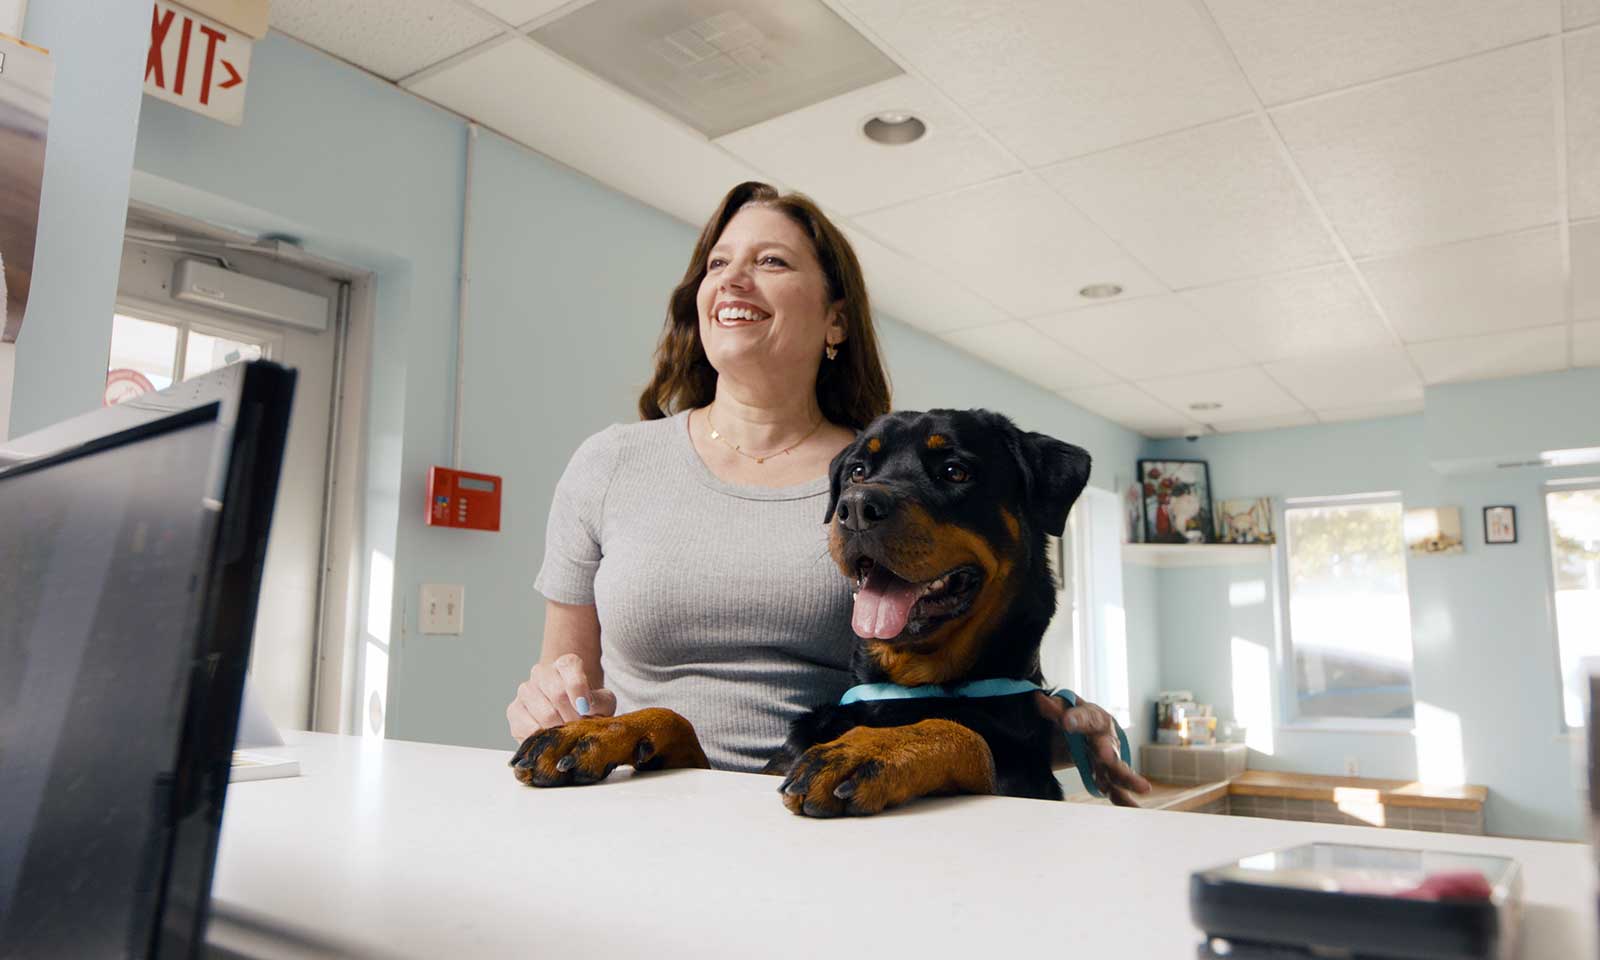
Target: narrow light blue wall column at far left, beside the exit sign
column 66, row 334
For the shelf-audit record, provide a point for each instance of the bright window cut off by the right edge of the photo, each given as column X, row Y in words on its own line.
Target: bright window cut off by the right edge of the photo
column 1575, row 551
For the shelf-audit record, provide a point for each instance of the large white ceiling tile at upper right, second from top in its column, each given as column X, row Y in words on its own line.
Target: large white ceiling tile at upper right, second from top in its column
column 1458, row 151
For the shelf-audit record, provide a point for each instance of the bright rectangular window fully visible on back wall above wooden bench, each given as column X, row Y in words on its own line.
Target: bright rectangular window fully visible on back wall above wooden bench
column 1350, row 612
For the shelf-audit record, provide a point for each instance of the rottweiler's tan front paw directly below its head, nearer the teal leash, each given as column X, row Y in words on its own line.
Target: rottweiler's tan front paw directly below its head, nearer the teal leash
column 873, row 769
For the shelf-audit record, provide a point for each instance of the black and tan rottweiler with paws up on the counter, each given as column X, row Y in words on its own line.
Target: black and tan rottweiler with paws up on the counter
column 940, row 521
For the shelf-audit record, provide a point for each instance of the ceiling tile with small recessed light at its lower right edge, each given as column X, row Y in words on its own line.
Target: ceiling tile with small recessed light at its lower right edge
column 1014, row 242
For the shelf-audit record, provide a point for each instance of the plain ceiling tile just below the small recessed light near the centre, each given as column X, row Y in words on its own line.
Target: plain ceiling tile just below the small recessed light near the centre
column 1145, row 338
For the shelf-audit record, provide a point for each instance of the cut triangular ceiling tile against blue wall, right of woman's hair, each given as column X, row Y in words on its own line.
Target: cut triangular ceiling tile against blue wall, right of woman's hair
column 921, row 297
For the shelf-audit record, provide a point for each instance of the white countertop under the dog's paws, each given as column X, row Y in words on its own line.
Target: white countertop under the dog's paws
column 417, row 850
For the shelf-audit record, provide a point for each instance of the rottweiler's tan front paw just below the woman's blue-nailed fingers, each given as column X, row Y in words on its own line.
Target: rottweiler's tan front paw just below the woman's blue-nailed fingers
column 585, row 751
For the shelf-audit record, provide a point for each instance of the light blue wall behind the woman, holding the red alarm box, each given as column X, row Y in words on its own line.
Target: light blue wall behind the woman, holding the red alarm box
column 567, row 294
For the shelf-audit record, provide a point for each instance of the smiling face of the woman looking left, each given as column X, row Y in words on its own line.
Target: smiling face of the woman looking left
column 764, row 303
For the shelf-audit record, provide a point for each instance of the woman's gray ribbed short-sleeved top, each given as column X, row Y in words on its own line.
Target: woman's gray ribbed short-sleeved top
column 716, row 601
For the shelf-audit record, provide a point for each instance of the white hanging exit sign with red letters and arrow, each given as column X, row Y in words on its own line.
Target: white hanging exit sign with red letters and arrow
column 198, row 63
